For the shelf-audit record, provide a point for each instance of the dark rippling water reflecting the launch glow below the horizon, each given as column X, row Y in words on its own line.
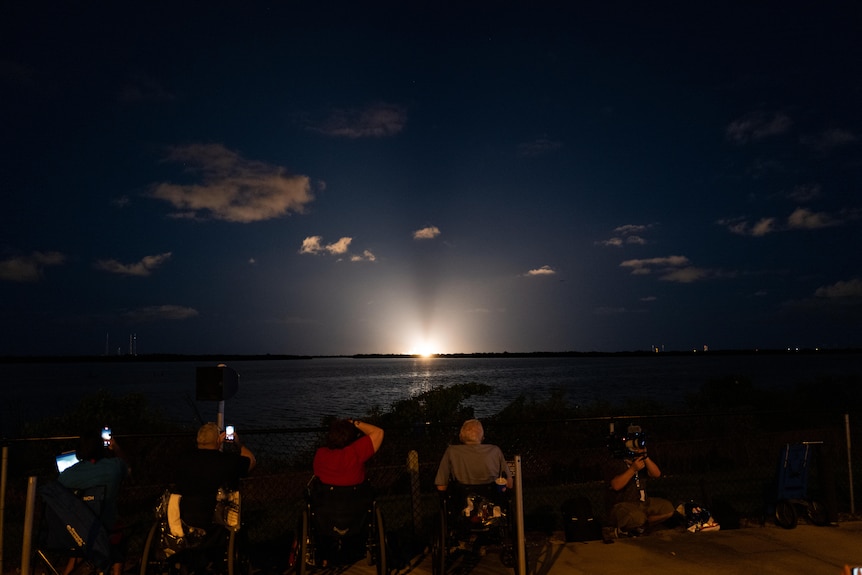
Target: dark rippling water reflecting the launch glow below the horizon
column 298, row 393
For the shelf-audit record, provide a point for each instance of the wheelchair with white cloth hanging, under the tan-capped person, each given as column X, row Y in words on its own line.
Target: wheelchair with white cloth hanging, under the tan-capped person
column 175, row 548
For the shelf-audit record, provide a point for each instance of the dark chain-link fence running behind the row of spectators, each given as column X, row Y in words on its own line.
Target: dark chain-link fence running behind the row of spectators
column 730, row 458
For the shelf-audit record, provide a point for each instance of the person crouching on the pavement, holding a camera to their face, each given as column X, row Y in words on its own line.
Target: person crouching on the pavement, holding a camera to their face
column 630, row 510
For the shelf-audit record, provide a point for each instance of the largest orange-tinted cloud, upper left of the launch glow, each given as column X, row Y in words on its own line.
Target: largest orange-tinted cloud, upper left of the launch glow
column 233, row 189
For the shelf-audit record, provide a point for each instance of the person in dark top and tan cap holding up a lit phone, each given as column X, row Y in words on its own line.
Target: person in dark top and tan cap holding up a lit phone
column 198, row 475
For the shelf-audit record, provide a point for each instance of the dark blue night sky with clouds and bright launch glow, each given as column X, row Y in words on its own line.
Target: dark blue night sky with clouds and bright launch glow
column 418, row 176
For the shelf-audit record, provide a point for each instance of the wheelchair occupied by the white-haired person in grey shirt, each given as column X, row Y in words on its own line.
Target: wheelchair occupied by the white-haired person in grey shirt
column 471, row 517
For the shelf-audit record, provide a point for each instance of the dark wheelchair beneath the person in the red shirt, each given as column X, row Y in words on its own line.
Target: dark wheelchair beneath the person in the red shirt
column 337, row 526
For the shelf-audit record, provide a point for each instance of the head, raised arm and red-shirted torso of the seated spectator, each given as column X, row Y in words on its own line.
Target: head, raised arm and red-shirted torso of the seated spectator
column 342, row 460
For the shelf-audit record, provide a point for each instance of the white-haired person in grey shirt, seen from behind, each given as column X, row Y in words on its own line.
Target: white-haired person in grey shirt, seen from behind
column 472, row 462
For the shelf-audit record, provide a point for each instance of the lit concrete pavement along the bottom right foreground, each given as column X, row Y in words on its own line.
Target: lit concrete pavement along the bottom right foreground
column 762, row 550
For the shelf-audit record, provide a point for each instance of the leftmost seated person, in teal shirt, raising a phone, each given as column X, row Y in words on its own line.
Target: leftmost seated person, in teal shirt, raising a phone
column 100, row 465
